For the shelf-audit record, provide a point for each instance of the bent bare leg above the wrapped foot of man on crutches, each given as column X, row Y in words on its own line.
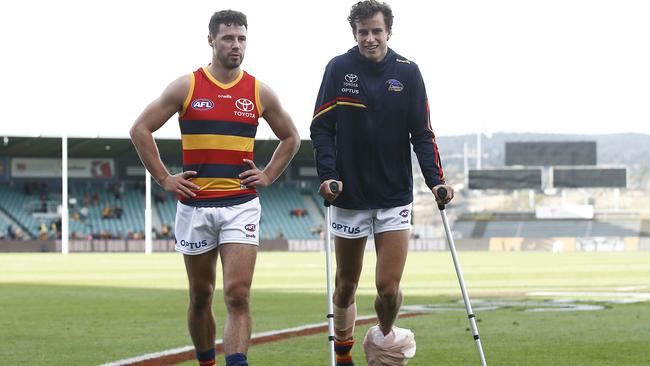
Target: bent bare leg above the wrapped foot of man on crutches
column 392, row 247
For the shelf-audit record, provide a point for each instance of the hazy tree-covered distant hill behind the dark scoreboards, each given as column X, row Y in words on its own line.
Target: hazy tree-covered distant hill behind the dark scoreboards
column 627, row 149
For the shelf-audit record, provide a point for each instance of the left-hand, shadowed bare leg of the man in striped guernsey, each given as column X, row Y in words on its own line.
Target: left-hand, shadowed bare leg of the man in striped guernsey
column 201, row 272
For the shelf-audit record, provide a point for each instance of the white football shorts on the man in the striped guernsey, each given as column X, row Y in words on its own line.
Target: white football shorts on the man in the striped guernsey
column 201, row 229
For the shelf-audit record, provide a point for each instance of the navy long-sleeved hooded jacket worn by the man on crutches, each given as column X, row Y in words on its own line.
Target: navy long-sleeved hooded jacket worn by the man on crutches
column 366, row 118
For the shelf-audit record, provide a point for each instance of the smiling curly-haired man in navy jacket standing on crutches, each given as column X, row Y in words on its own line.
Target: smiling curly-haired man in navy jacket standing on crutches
column 371, row 106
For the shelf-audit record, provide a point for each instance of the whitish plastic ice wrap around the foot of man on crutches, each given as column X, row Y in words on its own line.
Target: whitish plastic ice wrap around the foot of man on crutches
column 394, row 349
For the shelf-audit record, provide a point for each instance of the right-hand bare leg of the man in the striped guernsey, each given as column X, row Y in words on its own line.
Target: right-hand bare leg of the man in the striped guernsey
column 238, row 262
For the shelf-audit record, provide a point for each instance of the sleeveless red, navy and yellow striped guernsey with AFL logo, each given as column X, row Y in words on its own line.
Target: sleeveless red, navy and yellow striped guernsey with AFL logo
column 218, row 126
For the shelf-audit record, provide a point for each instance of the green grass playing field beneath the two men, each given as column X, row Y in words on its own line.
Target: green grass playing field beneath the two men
column 88, row 309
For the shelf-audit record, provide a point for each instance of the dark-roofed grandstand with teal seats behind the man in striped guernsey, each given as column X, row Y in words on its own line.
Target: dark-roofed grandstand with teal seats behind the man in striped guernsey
column 106, row 194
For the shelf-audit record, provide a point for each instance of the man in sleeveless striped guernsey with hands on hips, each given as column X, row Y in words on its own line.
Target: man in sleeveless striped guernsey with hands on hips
column 218, row 211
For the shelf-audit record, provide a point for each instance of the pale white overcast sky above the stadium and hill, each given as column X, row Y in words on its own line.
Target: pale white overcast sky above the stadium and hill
column 563, row 66
